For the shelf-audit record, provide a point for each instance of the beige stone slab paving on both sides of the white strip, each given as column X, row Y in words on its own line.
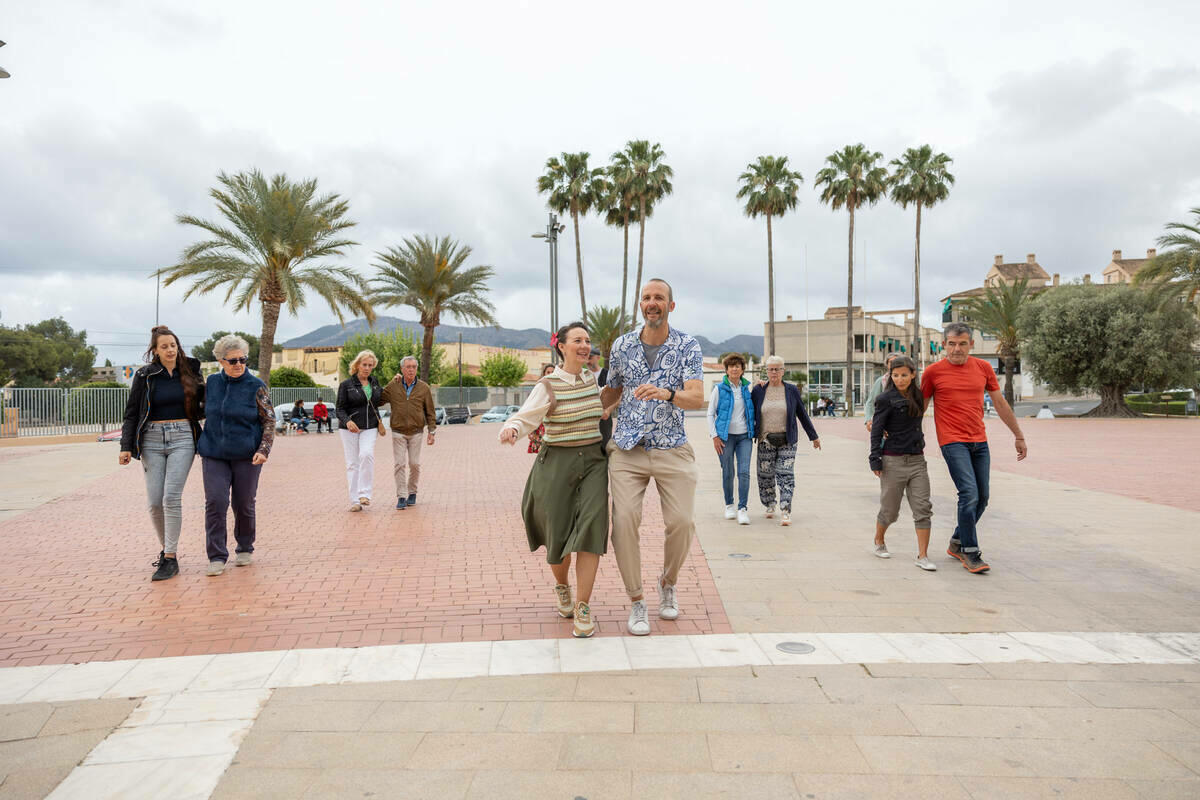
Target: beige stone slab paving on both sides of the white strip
column 1065, row 560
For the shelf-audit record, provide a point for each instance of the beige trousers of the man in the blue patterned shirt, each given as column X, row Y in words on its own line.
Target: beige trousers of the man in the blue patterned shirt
column 675, row 477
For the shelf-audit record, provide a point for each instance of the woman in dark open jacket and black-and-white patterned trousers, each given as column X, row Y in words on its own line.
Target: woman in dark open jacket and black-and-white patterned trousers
column 778, row 406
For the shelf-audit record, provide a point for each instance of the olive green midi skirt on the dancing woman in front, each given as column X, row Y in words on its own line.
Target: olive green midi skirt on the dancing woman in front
column 566, row 503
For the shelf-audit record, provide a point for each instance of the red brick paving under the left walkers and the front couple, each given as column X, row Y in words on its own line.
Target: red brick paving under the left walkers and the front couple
column 75, row 585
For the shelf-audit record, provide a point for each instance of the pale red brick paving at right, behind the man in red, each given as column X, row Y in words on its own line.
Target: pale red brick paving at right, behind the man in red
column 1155, row 460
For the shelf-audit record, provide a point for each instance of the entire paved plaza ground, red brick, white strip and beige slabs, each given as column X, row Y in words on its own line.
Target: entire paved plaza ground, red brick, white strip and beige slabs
column 417, row 654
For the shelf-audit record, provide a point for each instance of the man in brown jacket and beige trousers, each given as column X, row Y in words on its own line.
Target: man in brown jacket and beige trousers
column 412, row 410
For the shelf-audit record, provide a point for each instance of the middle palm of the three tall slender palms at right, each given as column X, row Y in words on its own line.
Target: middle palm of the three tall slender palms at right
column 850, row 181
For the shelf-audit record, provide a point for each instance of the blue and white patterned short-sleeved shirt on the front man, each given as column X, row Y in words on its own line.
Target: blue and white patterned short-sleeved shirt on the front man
column 653, row 424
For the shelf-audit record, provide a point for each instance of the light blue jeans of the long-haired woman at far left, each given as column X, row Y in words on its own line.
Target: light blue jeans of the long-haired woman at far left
column 167, row 453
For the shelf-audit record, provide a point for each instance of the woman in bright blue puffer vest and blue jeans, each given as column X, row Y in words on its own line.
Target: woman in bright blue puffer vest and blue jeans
column 731, row 425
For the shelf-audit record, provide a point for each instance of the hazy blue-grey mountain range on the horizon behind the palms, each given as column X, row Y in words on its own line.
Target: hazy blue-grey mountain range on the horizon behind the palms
column 526, row 339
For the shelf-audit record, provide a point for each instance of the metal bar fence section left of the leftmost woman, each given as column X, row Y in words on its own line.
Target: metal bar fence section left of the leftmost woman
column 61, row 412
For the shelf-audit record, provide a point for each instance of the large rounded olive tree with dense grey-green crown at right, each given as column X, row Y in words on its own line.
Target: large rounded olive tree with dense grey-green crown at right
column 1107, row 339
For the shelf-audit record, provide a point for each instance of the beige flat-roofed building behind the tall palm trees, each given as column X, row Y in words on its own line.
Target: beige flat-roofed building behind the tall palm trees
column 819, row 347
